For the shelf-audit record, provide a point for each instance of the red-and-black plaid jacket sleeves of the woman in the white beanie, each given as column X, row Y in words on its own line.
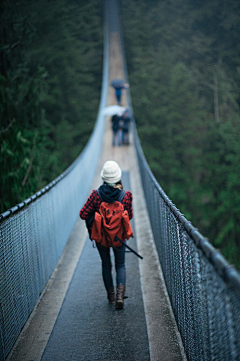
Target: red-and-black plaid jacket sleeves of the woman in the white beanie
column 94, row 201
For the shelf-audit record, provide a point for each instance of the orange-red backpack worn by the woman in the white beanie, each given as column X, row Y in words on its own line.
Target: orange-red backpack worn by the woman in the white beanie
column 111, row 221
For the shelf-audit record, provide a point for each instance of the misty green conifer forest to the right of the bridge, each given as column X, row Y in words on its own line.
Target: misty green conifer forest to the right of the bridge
column 184, row 71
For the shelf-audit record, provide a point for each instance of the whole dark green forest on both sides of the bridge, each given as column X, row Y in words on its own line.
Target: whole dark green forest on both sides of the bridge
column 183, row 61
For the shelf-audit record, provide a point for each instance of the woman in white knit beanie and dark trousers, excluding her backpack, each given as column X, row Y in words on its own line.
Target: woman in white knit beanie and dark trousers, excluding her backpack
column 110, row 191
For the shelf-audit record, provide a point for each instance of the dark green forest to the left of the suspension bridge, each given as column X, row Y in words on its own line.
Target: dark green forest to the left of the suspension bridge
column 51, row 58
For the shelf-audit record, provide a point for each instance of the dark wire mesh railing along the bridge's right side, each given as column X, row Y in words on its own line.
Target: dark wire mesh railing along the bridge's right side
column 204, row 289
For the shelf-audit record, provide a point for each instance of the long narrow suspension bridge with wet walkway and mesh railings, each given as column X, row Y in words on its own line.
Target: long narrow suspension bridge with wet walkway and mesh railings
column 183, row 297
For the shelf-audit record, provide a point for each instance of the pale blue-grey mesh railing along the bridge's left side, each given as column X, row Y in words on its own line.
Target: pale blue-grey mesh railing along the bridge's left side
column 34, row 233
